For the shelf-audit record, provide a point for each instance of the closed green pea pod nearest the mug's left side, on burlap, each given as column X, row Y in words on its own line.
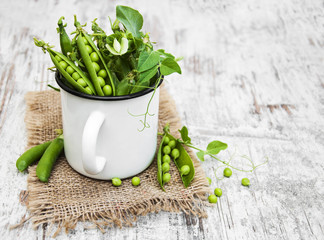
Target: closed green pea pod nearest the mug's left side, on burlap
column 46, row 163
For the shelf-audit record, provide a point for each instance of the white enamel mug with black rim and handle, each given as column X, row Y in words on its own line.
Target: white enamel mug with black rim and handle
column 102, row 137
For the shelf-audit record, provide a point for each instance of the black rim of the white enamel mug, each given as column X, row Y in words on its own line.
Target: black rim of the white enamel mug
column 58, row 77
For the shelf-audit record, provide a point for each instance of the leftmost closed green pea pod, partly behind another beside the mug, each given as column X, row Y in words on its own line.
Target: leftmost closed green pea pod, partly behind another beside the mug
column 31, row 155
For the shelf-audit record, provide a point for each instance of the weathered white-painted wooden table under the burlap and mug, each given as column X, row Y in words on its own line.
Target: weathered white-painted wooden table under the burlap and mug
column 253, row 77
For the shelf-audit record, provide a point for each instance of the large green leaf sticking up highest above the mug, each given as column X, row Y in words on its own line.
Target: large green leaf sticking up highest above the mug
column 131, row 19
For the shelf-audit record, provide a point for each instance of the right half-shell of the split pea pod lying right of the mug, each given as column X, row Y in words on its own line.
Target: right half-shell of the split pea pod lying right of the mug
column 183, row 159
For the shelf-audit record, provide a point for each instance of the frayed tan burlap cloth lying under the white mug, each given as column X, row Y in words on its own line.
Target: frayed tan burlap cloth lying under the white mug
column 69, row 197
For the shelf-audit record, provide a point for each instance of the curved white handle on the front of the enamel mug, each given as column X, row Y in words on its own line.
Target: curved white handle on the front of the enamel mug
column 92, row 164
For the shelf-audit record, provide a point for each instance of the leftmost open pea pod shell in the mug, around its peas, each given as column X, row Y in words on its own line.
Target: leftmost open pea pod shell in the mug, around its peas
column 66, row 75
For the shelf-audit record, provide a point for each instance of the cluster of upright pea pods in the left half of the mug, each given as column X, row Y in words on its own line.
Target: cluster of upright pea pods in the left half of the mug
column 80, row 63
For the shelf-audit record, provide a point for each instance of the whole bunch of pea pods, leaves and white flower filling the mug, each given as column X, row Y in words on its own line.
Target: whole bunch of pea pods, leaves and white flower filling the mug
column 109, row 65
